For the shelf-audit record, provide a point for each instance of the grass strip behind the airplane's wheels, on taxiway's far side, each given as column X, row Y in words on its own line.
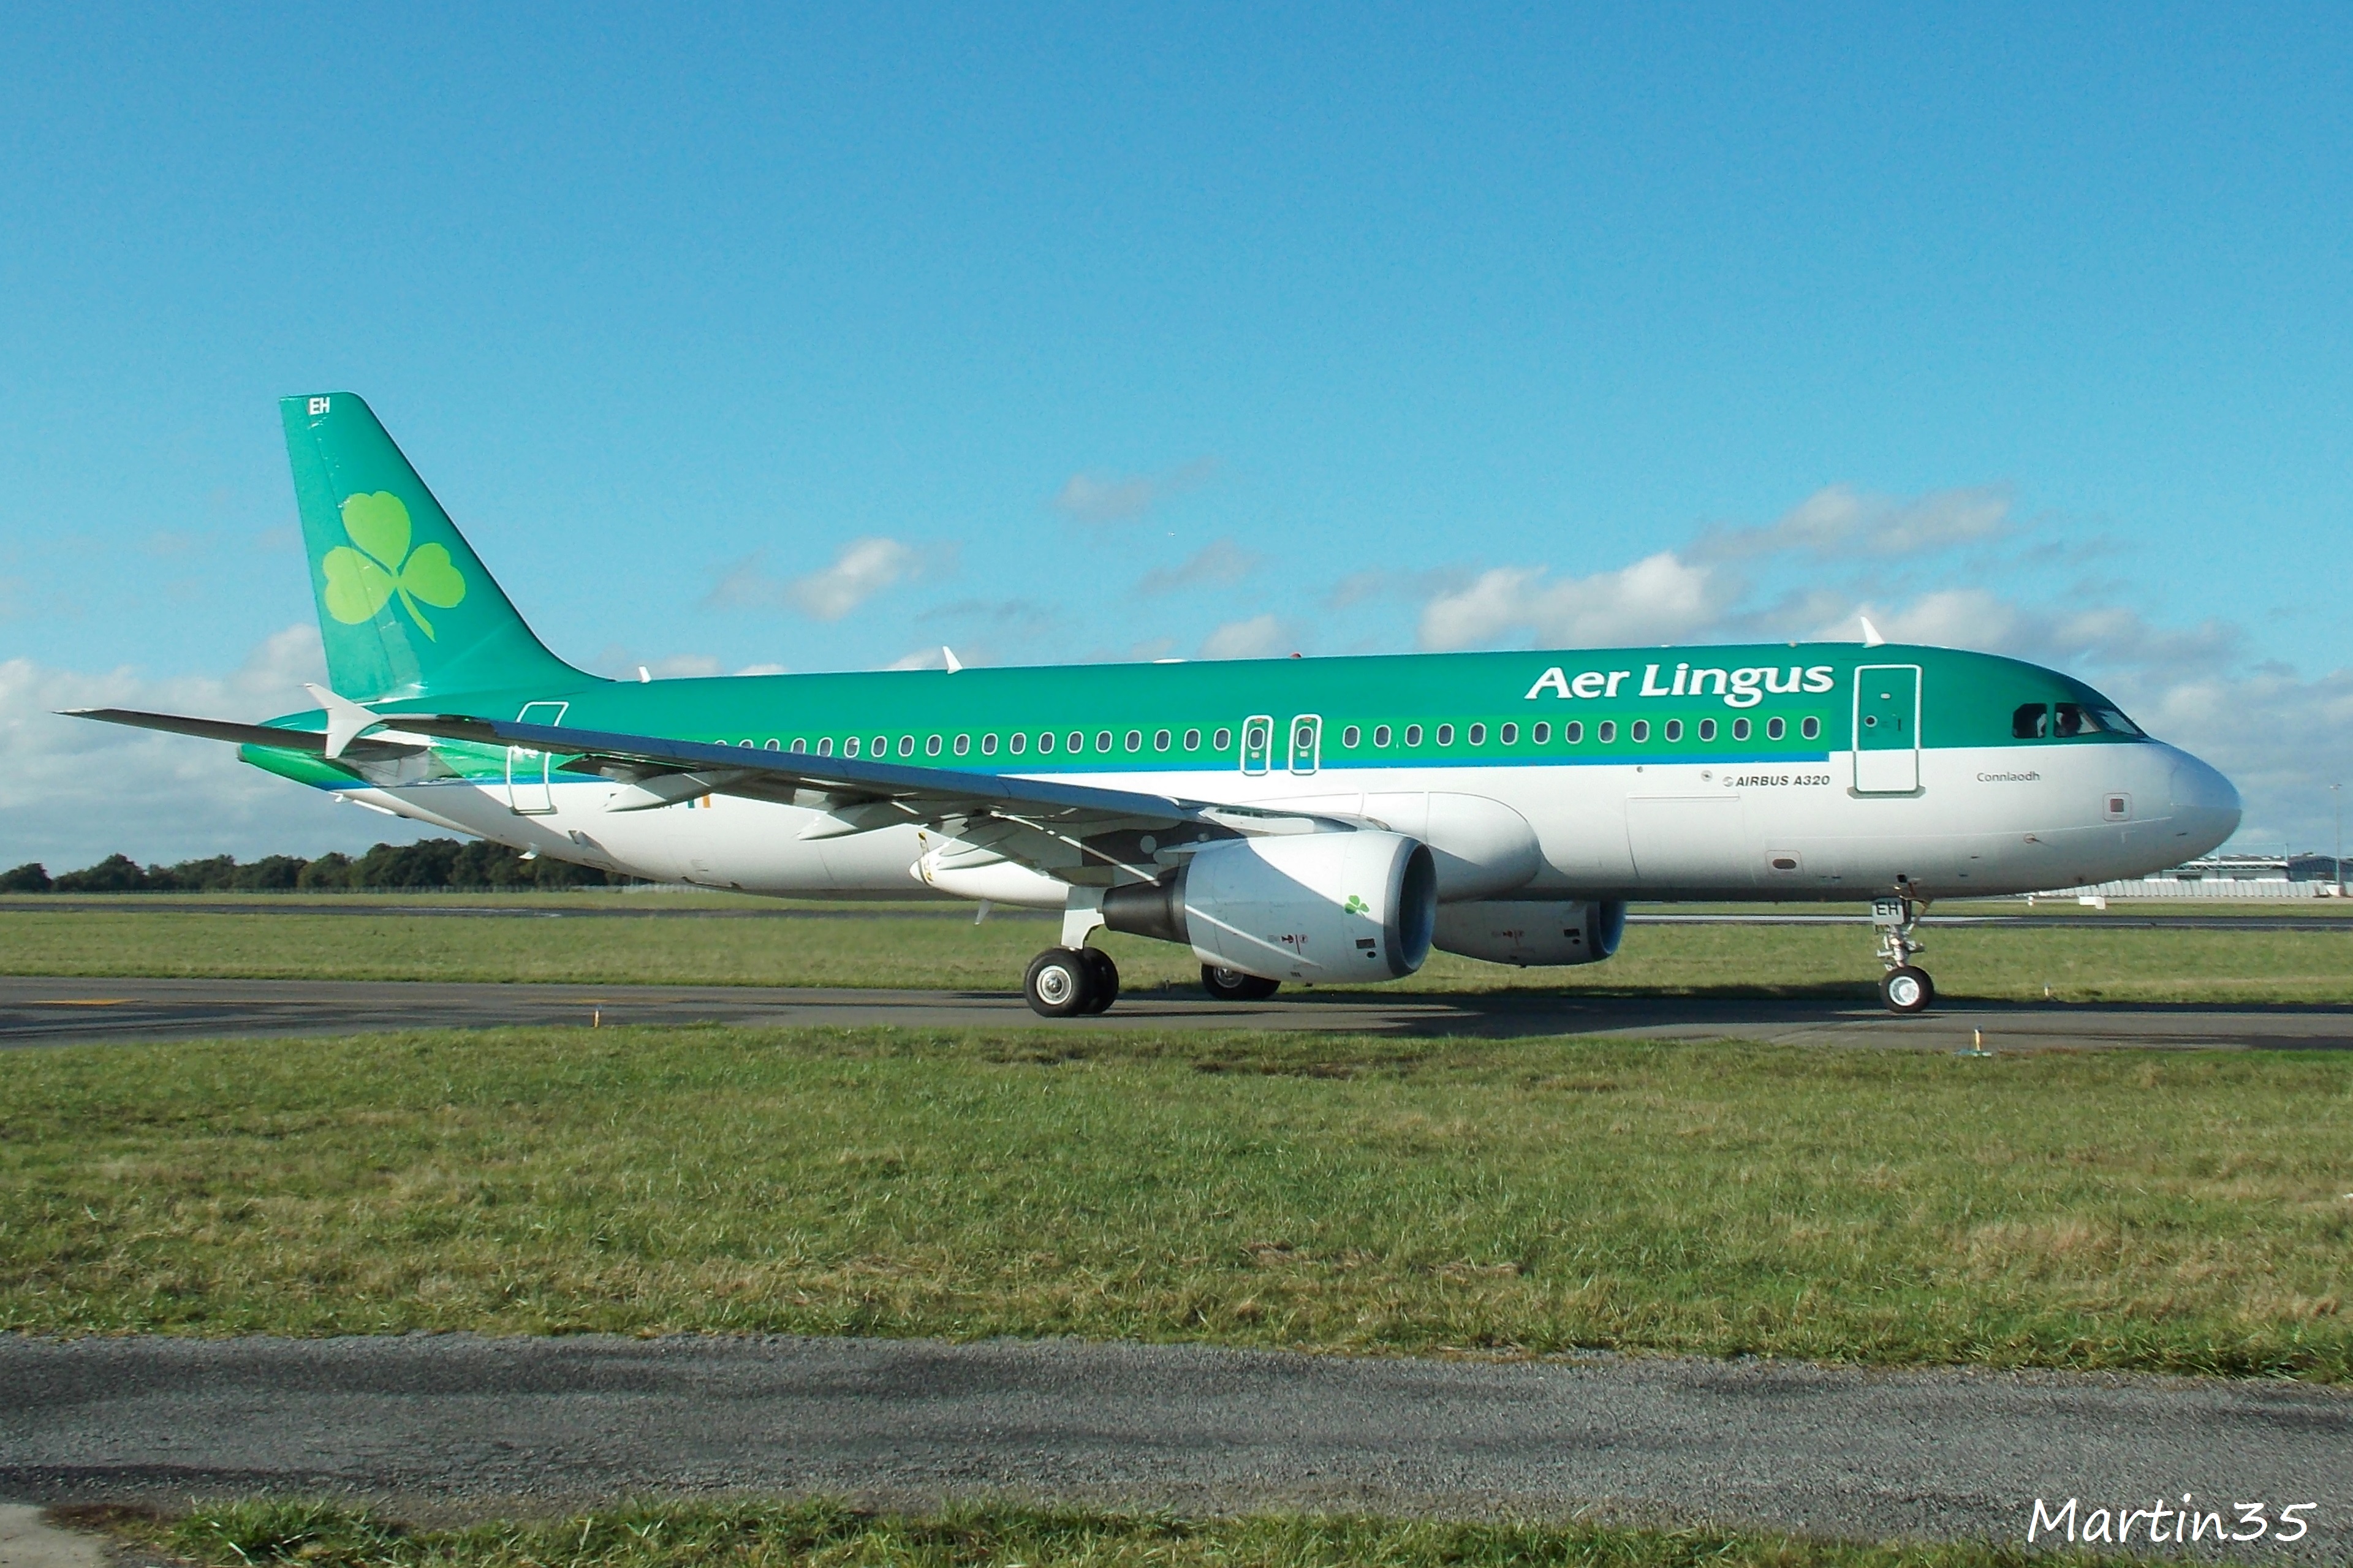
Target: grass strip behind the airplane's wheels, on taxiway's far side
column 2074, row 959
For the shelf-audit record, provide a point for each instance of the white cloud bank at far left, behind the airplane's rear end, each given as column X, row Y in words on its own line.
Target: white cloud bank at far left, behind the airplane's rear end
column 76, row 790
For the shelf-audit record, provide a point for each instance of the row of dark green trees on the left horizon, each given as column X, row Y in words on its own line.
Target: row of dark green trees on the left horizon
column 427, row 865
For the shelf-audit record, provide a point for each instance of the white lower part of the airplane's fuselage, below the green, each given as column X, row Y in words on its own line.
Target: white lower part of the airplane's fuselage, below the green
column 1980, row 823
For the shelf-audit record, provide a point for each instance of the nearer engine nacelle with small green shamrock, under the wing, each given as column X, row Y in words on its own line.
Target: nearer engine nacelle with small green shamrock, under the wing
column 1317, row 908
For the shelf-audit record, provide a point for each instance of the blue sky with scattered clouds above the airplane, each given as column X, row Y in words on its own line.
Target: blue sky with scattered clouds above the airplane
column 1086, row 333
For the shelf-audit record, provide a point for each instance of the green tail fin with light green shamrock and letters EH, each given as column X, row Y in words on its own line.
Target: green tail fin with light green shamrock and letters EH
column 404, row 602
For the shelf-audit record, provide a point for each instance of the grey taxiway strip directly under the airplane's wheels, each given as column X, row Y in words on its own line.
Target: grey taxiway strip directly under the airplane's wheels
column 41, row 1011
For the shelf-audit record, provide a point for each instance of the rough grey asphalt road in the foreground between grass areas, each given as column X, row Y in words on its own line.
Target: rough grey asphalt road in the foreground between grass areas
column 441, row 1421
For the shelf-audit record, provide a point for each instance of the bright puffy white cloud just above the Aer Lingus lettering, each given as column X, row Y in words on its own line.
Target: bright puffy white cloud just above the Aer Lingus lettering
column 1655, row 599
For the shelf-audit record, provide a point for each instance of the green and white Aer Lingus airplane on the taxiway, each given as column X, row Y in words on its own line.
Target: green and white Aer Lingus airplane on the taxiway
column 1291, row 820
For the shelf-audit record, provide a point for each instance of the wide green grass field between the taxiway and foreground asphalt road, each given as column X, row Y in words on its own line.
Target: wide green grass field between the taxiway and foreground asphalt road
column 2084, row 1211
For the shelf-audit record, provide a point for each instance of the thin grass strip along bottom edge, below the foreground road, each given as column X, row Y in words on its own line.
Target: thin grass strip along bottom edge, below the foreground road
column 836, row 1536
